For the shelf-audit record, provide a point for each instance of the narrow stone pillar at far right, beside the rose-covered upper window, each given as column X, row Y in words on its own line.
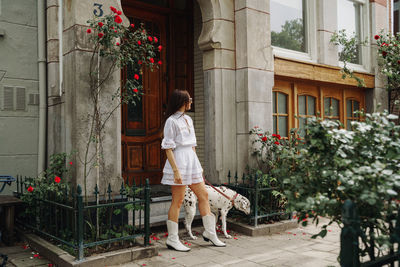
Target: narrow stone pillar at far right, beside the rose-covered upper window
column 379, row 21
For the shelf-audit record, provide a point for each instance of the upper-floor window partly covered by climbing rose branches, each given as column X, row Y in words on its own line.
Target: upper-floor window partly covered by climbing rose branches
column 349, row 19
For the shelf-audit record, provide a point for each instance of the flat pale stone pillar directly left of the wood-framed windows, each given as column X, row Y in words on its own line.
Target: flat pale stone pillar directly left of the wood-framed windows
column 254, row 74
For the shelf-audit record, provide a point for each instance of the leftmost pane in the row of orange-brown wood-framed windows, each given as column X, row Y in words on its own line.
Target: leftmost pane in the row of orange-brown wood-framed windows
column 280, row 114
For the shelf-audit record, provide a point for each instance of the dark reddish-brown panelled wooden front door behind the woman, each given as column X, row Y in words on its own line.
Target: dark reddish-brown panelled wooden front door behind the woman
column 142, row 123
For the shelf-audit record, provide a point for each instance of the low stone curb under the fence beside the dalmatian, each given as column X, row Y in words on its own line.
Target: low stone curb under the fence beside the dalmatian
column 262, row 229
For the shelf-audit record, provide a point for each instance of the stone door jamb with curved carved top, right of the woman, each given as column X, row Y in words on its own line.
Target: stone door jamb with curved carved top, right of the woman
column 217, row 41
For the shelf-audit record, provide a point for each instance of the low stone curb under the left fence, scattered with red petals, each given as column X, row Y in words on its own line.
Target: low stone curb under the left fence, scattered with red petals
column 62, row 258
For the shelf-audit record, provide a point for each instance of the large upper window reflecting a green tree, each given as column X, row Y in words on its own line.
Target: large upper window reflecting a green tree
column 288, row 24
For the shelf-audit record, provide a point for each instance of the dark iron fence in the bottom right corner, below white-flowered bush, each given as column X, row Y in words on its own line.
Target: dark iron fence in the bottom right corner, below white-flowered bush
column 350, row 236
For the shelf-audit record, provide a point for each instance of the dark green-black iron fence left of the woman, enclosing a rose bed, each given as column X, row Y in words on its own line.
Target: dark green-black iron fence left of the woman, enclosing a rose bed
column 80, row 223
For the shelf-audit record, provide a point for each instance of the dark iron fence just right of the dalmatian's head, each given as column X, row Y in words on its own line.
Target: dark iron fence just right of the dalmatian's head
column 266, row 202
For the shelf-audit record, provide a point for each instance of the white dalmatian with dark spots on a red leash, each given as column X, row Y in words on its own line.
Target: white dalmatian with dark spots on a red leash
column 218, row 204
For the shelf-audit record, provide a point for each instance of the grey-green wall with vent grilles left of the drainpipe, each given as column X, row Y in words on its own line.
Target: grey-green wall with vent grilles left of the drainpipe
column 19, row 91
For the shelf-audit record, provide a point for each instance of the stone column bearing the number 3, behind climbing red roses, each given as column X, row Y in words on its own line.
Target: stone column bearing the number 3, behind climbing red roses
column 76, row 103
